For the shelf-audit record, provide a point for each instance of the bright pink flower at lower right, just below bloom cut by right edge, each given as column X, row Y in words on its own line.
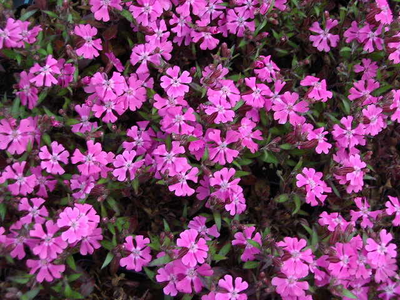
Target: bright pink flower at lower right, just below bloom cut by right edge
column 379, row 253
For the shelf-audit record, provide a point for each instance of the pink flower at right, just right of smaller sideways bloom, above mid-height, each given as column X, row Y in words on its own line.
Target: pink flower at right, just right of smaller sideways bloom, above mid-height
column 347, row 136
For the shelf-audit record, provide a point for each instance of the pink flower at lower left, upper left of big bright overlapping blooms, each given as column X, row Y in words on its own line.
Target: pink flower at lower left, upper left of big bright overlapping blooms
column 35, row 208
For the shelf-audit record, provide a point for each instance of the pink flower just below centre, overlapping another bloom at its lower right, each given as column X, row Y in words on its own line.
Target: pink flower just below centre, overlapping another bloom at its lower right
column 224, row 188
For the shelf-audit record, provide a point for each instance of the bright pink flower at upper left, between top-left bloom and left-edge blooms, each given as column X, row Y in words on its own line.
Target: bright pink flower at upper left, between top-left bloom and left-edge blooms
column 45, row 75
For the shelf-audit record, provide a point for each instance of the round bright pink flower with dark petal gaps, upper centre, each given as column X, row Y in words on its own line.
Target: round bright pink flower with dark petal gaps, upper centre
column 176, row 85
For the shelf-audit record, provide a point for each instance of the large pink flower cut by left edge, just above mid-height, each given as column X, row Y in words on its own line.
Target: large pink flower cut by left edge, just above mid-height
column 15, row 139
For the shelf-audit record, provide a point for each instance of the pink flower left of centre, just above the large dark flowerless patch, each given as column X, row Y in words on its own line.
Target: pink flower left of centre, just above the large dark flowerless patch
column 123, row 163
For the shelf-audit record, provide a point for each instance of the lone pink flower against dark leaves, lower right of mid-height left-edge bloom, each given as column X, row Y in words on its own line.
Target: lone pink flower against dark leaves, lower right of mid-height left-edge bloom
column 50, row 161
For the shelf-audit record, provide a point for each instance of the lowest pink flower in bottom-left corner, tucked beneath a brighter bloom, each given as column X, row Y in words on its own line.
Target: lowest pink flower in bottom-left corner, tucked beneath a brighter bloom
column 47, row 270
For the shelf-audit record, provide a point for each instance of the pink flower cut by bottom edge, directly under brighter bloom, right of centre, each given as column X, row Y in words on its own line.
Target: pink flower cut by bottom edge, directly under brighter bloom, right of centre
column 288, row 285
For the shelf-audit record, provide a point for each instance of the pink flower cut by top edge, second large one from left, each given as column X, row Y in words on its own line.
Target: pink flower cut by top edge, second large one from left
column 147, row 11
